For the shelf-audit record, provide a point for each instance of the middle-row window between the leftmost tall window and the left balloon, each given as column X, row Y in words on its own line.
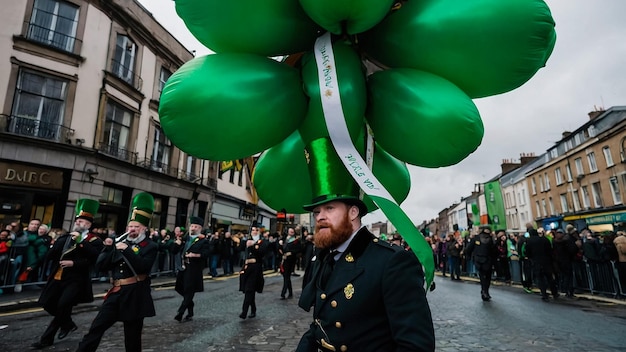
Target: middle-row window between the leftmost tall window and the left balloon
column 117, row 131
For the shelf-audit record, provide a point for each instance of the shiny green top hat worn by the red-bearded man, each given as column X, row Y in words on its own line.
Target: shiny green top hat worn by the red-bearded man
column 329, row 179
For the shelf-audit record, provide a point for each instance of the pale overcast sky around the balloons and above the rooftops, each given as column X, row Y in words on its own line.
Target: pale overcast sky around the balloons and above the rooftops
column 586, row 71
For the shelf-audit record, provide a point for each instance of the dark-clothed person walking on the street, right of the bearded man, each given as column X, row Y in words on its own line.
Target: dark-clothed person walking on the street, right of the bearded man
column 483, row 252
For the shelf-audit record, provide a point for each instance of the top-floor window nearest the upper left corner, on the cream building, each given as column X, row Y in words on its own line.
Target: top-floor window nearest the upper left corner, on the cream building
column 54, row 23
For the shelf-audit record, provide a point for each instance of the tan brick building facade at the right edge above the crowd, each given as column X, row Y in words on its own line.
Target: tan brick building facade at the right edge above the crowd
column 583, row 181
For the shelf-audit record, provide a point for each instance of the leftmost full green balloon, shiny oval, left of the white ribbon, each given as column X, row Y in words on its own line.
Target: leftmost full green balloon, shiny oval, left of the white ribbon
column 229, row 106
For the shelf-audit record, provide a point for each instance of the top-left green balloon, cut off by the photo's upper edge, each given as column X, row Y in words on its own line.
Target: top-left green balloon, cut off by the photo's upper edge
column 267, row 27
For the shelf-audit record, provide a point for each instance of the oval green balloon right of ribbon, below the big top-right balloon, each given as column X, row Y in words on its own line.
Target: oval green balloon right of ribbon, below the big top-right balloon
column 421, row 118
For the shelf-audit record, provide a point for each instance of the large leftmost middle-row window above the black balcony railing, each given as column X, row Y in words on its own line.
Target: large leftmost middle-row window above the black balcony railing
column 39, row 105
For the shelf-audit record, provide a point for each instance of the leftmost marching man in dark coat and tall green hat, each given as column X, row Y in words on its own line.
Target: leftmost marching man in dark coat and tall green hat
column 72, row 257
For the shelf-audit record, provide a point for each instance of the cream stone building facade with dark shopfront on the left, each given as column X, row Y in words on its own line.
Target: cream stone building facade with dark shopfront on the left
column 79, row 98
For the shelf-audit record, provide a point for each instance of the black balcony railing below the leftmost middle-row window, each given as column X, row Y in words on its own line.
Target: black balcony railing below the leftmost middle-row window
column 31, row 127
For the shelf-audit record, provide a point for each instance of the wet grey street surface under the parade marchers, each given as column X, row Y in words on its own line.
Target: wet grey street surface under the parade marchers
column 512, row 321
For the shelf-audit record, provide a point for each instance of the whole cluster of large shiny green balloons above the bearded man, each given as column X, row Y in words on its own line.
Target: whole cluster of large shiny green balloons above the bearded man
column 410, row 69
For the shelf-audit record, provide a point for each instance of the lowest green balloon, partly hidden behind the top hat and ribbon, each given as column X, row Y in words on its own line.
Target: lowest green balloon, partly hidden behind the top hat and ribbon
column 281, row 176
